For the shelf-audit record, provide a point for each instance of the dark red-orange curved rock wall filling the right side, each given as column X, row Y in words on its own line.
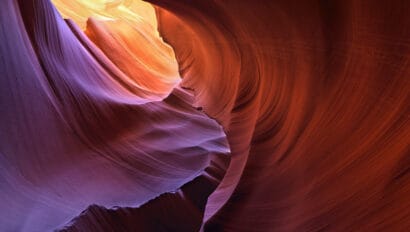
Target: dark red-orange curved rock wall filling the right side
column 314, row 97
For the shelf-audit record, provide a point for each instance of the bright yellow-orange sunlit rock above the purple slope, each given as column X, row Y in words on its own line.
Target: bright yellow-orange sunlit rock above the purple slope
column 126, row 31
